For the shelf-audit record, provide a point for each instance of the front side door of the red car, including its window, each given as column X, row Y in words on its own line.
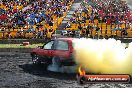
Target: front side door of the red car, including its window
column 47, row 49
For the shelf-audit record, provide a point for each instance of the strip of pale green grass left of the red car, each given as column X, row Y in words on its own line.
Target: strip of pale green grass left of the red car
column 20, row 45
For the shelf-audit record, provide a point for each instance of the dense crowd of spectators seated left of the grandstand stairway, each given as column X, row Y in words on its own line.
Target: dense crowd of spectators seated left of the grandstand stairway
column 30, row 13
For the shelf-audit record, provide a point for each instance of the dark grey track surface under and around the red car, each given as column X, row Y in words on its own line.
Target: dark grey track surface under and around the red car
column 17, row 71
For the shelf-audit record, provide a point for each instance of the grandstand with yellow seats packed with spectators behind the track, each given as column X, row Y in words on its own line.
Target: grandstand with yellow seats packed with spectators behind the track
column 40, row 18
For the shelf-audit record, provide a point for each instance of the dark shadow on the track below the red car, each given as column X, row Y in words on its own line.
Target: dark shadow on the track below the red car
column 40, row 70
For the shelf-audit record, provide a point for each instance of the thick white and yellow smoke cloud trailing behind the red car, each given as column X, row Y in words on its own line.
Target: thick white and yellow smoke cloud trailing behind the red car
column 103, row 56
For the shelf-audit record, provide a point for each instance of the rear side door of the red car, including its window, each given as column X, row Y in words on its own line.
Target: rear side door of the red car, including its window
column 61, row 49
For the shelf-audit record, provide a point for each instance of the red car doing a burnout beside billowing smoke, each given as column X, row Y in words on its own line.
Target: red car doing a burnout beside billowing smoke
column 59, row 51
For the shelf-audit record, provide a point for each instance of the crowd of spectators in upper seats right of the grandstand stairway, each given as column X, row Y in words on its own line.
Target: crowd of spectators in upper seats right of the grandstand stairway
column 109, row 11
